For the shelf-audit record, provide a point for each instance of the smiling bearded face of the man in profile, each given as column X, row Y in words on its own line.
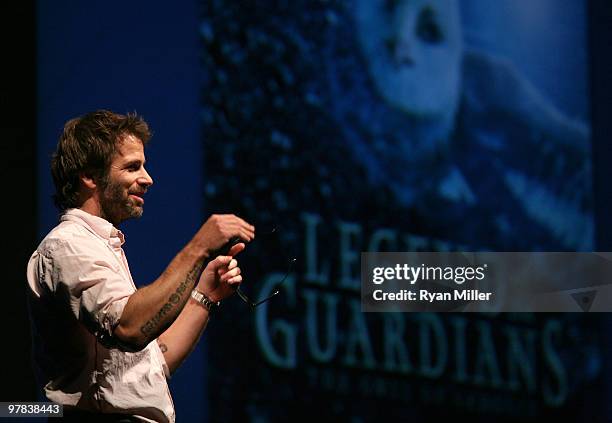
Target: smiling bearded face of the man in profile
column 121, row 197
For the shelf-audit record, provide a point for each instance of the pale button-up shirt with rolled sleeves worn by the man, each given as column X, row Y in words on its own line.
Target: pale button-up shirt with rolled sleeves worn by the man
column 79, row 283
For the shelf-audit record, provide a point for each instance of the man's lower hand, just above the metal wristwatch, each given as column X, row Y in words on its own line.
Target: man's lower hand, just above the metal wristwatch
column 221, row 277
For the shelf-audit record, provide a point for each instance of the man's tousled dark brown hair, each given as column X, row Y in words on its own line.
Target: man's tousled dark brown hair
column 88, row 144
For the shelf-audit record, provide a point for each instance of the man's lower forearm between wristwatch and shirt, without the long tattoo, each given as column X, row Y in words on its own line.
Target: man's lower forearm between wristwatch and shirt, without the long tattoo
column 179, row 340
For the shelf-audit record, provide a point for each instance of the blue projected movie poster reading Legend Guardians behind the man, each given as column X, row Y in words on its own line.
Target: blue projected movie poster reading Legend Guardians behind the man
column 338, row 127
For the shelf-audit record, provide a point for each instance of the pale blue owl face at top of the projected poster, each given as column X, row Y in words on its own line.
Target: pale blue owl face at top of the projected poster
column 413, row 50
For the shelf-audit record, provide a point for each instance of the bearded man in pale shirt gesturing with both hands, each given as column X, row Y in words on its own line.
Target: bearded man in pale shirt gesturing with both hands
column 104, row 347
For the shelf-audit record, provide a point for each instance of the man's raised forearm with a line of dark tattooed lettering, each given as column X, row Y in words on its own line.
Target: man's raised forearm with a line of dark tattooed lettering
column 153, row 308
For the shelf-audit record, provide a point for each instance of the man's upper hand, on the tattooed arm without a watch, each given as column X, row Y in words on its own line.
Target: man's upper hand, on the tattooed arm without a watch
column 219, row 229
